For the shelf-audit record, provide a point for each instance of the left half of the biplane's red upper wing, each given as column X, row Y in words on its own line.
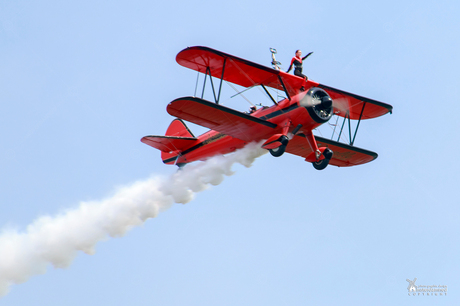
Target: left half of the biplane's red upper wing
column 239, row 71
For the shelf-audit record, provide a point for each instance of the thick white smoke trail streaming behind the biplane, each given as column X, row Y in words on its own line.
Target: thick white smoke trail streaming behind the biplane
column 57, row 240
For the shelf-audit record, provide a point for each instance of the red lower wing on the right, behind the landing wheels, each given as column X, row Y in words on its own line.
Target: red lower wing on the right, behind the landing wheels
column 344, row 155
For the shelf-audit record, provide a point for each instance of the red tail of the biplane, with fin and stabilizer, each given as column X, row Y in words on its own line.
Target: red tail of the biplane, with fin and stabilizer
column 178, row 138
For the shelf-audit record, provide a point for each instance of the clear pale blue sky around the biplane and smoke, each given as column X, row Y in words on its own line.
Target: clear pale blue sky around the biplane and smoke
column 82, row 81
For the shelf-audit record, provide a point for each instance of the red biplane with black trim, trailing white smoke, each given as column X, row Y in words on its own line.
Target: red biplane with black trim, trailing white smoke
column 287, row 126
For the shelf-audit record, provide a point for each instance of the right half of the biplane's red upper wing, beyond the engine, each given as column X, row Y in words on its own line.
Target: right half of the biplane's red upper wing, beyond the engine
column 354, row 106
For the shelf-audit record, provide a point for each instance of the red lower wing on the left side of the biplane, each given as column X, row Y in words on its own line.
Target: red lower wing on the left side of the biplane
column 220, row 118
